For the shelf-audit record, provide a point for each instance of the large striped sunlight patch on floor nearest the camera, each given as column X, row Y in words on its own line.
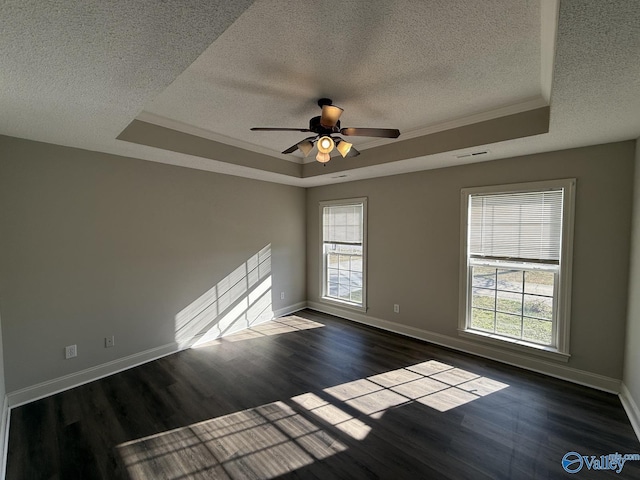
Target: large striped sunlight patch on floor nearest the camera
column 263, row 442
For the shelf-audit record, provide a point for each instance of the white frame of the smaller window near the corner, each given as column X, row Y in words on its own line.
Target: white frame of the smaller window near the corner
column 323, row 267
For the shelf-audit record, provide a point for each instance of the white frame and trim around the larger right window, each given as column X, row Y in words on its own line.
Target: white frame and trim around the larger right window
column 562, row 294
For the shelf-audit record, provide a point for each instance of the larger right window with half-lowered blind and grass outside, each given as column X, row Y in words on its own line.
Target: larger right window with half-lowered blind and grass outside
column 516, row 264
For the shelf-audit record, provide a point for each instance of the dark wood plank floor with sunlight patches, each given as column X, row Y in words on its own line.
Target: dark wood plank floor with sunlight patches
column 317, row 397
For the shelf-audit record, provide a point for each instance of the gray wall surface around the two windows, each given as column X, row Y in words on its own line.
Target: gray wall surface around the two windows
column 414, row 242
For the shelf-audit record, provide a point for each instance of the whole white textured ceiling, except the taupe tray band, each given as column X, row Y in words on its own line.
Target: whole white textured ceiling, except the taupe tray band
column 77, row 73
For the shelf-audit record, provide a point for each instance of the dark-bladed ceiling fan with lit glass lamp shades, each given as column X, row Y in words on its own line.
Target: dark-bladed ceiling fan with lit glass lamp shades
column 325, row 127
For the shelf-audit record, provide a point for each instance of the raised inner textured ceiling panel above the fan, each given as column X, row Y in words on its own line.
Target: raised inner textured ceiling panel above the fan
column 402, row 64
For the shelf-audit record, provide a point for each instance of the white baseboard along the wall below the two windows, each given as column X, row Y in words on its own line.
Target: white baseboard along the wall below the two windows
column 539, row 365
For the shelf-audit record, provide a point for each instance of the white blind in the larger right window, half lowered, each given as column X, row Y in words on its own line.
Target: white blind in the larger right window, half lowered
column 519, row 226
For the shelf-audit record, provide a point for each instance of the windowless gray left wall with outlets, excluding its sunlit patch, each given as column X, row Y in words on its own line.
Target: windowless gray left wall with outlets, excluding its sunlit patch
column 93, row 245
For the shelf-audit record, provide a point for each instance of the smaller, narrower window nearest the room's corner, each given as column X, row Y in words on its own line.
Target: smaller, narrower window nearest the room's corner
column 343, row 227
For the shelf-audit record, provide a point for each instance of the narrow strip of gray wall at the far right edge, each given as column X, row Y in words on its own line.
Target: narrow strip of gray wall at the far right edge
column 632, row 351
